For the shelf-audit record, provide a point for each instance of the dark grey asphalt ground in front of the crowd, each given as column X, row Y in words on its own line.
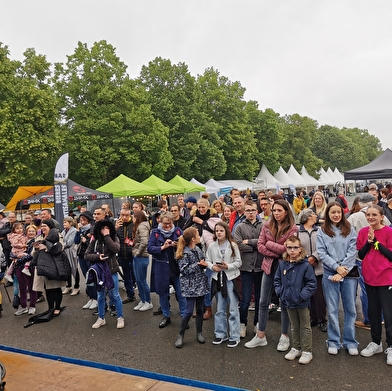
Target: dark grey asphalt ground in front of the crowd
column 142, row 345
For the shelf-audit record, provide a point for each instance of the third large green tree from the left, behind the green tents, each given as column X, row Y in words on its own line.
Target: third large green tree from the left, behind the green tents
column 193, row 139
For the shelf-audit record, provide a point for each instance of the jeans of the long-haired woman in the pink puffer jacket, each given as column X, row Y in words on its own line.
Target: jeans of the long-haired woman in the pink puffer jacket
column 267, row 287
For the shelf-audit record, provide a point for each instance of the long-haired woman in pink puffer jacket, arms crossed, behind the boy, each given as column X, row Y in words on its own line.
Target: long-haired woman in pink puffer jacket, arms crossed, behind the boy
column 271, row 241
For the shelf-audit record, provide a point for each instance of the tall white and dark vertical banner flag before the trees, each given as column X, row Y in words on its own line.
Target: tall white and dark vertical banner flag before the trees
column 61, row 188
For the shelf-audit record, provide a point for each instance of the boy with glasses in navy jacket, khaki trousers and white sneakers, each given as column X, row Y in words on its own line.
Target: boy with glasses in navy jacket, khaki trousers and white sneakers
column 295, row 283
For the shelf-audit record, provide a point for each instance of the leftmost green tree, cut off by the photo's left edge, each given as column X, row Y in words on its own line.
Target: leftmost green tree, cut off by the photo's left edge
column 28, row 122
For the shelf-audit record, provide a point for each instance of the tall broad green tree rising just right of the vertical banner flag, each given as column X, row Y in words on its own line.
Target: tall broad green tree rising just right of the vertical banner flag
column 108, row 124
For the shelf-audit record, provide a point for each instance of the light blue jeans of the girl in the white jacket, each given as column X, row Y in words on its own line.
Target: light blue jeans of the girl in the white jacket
column 234, row 314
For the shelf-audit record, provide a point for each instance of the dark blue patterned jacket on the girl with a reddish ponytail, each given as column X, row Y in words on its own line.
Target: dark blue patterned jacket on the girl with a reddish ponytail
column 193, row 279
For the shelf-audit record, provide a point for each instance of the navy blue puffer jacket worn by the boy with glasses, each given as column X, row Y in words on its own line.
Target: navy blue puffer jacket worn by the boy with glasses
column 295, row 283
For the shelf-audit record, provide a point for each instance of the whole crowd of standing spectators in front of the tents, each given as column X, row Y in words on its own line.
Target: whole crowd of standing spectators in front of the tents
column 243, row 251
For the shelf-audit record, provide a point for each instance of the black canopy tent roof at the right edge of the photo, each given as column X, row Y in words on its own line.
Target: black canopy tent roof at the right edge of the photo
column 379, row 168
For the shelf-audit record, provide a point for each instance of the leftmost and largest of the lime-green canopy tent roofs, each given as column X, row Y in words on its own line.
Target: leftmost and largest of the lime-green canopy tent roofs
column 122, row 186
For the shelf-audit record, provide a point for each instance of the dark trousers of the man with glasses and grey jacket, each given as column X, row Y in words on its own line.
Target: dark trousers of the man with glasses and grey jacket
column 248, row 281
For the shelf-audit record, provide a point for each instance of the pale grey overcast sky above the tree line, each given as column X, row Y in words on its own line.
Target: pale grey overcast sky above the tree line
column 330, row 60
